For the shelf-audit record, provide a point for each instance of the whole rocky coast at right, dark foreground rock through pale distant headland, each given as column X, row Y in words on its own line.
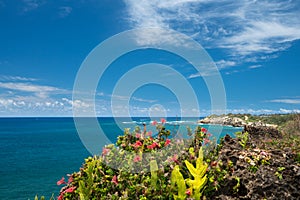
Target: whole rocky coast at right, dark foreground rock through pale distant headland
column 265, row 166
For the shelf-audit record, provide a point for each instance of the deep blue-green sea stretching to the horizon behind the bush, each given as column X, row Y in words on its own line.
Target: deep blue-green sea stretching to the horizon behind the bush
column 36, row 152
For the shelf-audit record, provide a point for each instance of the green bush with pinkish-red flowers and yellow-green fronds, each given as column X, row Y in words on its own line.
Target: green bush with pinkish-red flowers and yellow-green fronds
column 144, row 167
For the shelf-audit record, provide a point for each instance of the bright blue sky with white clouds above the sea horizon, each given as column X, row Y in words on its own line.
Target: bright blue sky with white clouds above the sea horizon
column 255, row 45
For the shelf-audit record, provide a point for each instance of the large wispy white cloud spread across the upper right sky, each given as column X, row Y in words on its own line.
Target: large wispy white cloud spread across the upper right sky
column 244, row 28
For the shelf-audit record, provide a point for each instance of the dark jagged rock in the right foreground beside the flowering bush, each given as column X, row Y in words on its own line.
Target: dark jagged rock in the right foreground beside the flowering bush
column 260, row 172
